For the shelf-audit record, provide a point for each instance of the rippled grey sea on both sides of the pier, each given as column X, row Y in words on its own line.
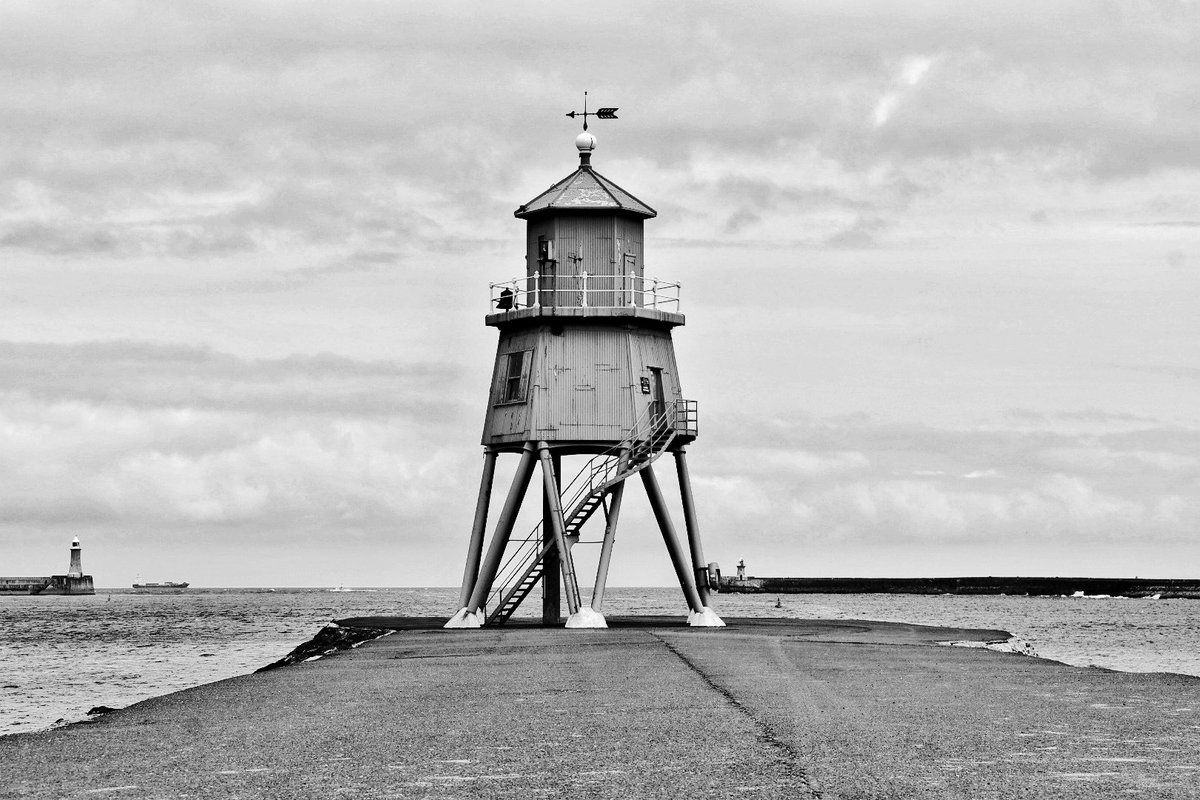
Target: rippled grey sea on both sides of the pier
column 63, row 657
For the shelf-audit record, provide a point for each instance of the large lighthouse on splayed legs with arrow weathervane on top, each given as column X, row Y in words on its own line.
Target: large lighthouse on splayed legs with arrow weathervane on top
column 585, row 368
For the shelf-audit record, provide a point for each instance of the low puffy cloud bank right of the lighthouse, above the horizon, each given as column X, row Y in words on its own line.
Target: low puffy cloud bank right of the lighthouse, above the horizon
column 860, row 479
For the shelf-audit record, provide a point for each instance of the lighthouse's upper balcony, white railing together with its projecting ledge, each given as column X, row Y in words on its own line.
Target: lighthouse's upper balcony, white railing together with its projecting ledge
column 585, row 296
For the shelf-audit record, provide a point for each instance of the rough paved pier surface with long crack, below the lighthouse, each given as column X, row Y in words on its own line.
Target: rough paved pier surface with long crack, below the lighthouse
column 645, row 709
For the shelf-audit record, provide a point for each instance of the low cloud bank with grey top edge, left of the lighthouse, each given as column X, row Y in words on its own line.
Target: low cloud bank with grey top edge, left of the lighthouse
column 134, row 435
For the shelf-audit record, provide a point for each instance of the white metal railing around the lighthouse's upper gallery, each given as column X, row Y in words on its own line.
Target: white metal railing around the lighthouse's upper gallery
column 585, row 291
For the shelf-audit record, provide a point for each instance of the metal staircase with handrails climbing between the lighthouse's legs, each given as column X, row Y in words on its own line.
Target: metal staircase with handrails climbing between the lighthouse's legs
column 651, row 437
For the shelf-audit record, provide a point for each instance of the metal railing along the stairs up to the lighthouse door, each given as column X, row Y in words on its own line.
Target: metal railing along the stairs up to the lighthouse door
column 650, row 437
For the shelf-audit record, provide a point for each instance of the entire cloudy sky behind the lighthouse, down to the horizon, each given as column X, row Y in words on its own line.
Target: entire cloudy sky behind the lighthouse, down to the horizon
column 940, row 263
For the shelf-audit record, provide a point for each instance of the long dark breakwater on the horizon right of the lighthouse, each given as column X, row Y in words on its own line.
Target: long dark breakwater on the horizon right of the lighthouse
column 1163, row 590
